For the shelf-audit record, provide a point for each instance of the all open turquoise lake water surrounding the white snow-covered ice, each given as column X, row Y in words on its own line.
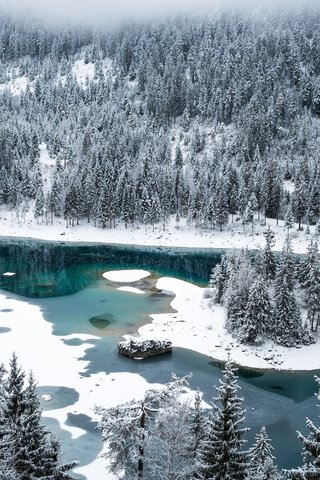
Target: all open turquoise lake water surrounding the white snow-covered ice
column 66, row 282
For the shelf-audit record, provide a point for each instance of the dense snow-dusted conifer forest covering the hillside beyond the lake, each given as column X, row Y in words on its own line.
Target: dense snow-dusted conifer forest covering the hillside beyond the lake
column 204, row 118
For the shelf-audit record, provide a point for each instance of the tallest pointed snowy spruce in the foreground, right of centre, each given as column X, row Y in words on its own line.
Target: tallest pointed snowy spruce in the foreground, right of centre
column 223, row 456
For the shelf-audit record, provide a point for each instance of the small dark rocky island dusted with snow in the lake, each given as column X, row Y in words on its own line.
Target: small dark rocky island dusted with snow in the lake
column 144, row 348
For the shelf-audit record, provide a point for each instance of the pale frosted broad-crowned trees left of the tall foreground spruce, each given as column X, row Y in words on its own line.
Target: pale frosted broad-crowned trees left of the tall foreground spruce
column 150, row 436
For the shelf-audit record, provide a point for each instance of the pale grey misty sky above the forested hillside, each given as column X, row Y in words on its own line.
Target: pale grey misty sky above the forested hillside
column 124, row 9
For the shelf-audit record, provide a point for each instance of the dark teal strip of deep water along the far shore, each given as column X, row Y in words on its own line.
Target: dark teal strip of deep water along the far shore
column 47, row 269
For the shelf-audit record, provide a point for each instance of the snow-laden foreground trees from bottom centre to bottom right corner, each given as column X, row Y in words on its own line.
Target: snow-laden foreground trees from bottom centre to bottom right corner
column 164, row 436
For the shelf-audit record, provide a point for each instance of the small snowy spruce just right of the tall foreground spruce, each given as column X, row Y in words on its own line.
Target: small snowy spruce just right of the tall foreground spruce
column 261, row 459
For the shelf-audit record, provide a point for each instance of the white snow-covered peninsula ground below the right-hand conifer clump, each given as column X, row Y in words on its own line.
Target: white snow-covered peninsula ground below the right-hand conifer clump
column 199, row 327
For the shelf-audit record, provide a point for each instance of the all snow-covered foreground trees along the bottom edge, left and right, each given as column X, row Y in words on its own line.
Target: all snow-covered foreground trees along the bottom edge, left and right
column 166, row 435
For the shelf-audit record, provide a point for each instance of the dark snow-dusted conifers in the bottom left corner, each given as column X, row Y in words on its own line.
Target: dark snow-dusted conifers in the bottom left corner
column 27, row 449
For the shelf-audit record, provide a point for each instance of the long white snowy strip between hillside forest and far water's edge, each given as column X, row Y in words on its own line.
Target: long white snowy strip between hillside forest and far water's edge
column 234, row 236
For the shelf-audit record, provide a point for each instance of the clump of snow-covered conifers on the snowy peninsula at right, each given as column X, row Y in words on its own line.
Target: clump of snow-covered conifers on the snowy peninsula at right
column 261, row 294
